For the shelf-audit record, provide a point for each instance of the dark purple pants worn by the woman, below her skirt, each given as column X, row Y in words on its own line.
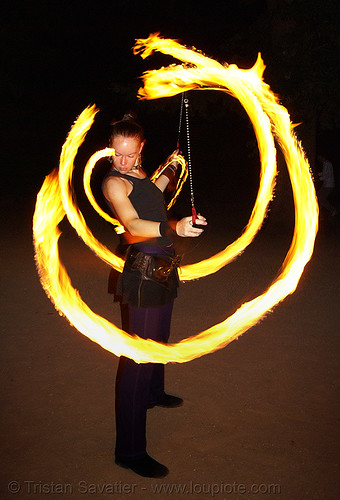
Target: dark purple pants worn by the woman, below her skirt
column 139, row 385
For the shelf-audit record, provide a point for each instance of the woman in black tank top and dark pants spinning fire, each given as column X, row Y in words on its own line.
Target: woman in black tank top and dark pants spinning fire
column 139, row 206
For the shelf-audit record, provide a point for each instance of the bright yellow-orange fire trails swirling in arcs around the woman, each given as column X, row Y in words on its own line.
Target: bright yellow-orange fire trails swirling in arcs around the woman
column 269, row 119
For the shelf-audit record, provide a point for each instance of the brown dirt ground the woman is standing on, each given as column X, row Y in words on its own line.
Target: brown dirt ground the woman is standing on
column 260, row 418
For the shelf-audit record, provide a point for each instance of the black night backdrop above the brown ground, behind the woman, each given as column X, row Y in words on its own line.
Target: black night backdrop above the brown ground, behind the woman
column 60, row 56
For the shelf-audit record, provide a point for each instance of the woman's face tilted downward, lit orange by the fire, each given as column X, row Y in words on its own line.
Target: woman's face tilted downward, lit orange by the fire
column 126, row 154
